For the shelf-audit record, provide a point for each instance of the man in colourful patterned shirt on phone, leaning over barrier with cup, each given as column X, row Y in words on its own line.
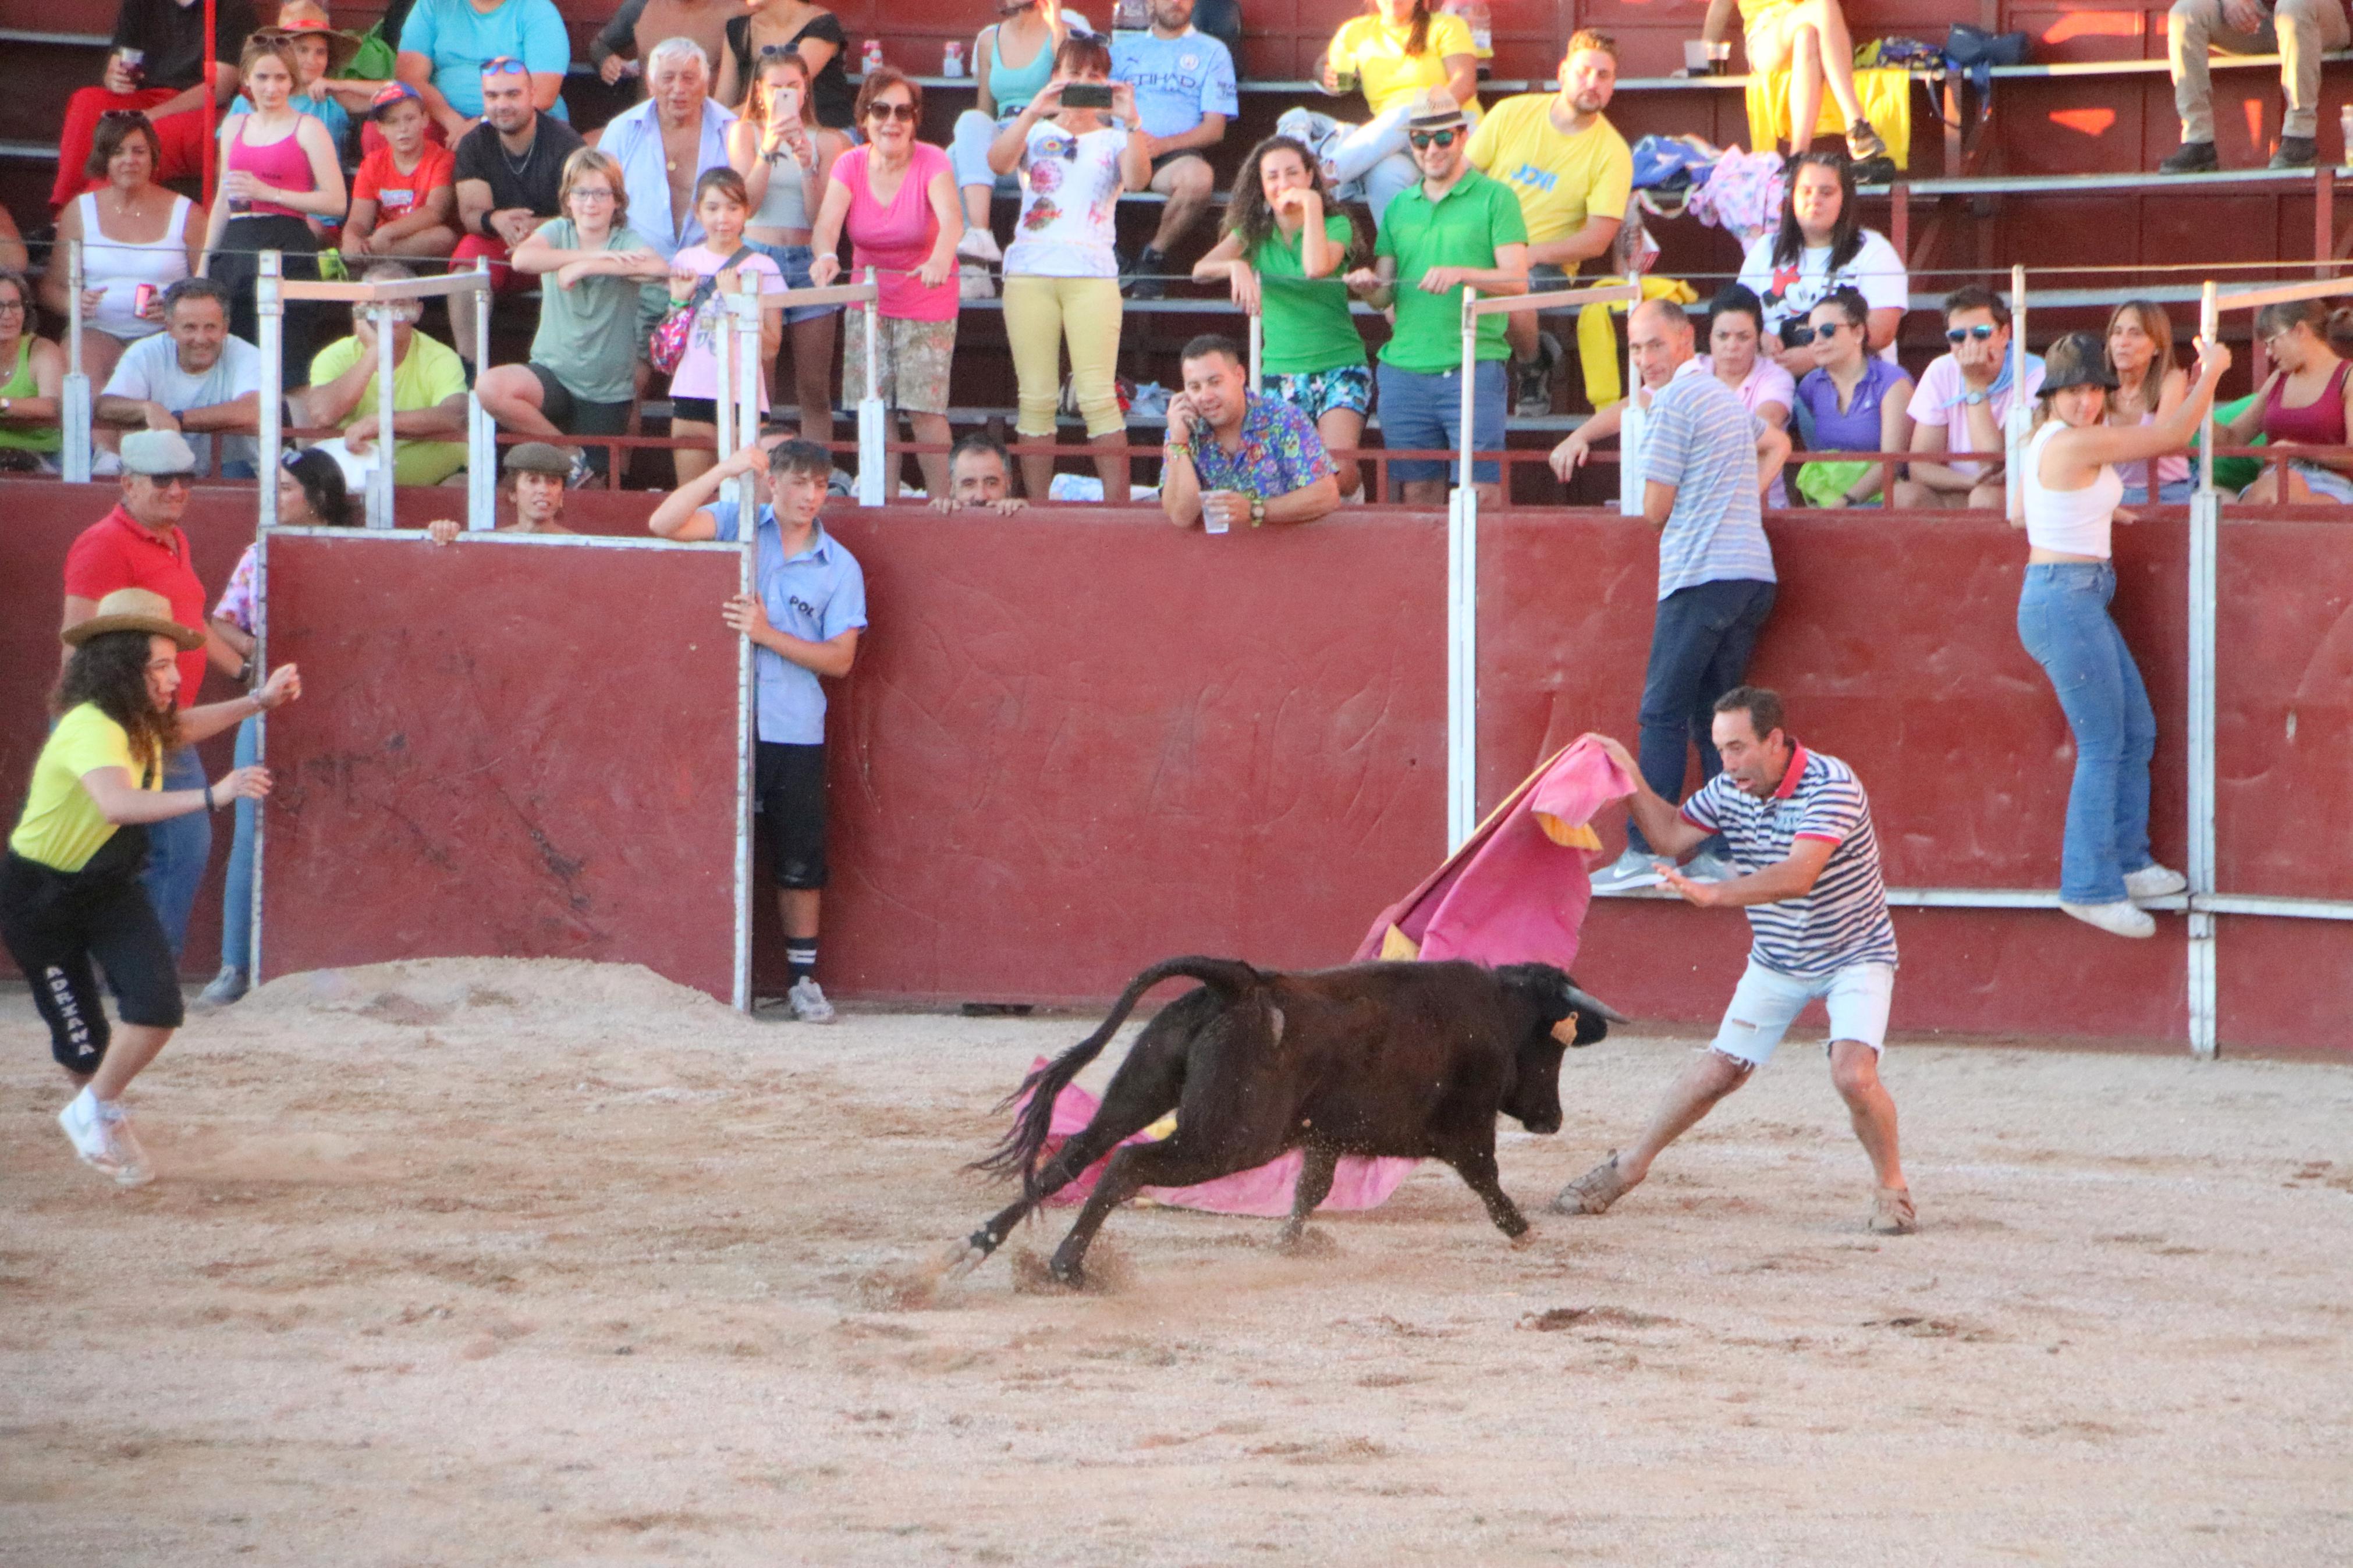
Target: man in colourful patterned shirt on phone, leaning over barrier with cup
column 1239, row 460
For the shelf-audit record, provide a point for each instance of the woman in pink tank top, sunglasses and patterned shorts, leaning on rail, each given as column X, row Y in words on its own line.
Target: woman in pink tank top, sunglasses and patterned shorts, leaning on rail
column 898, row 201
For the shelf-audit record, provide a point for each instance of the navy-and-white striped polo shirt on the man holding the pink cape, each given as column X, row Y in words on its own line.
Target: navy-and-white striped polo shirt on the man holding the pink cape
column 1844, row 920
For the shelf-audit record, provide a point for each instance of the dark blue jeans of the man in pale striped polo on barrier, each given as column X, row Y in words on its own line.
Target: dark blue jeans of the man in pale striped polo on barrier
column 1698, row 652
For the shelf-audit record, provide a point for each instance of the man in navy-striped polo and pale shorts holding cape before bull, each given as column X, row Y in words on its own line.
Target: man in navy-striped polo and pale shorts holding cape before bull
column 1811, row 880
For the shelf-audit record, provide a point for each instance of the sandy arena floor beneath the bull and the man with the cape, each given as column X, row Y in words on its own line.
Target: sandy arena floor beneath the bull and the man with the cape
column 533, row 1264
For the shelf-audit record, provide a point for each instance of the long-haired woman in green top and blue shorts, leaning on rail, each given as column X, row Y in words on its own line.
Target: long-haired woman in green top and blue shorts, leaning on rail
column 1286, row 253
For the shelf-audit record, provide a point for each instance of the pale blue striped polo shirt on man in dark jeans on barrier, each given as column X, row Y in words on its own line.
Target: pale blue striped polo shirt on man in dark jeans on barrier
column 1702, row 441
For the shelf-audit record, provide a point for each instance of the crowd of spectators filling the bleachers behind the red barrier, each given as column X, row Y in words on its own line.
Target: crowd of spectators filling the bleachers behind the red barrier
column 756, row 154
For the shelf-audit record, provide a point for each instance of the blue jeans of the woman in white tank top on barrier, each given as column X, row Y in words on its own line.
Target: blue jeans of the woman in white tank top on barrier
column 2065, row 624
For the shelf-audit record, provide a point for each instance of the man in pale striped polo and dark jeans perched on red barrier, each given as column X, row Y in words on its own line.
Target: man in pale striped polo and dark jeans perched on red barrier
column 1705, row 464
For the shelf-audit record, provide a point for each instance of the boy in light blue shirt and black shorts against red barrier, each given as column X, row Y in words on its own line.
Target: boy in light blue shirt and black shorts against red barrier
column 804, row 622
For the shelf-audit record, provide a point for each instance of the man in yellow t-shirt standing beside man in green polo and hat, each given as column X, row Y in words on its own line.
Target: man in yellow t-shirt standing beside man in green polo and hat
column 1573, row 175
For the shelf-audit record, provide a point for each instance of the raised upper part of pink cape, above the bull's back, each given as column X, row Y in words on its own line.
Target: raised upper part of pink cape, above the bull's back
column 1512, row 894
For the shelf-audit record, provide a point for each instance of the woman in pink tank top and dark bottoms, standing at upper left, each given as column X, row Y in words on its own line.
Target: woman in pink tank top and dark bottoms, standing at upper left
column 279, row 173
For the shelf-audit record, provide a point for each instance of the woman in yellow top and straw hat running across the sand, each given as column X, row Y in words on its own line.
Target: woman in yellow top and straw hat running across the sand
column 69, row 890
